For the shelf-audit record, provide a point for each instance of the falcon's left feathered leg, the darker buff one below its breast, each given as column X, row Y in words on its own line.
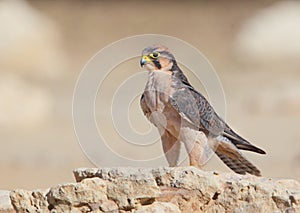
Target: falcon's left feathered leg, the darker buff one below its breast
column 171, row 147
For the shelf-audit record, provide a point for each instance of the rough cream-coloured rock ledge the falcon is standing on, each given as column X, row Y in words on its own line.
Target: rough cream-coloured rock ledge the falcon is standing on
column 181, row 189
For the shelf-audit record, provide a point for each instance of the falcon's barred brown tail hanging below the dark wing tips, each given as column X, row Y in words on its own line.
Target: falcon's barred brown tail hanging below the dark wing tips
column 234, row 159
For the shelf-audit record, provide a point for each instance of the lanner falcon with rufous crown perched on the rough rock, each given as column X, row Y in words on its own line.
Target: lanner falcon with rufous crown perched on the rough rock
column 182, row 114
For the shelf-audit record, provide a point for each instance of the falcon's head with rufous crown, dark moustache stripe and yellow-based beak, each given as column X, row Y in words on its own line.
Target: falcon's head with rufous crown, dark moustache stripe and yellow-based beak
column 157, row 58
